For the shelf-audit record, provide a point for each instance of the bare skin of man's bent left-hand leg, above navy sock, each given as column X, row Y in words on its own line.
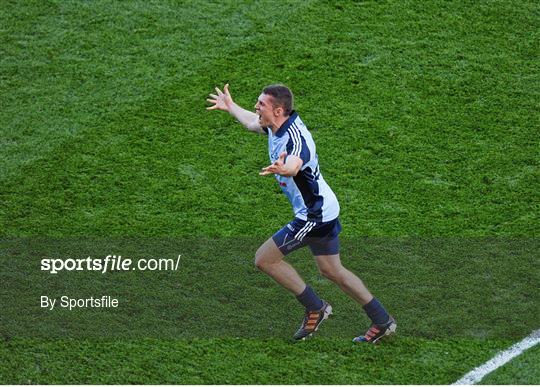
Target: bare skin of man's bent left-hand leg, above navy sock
column 270, row 260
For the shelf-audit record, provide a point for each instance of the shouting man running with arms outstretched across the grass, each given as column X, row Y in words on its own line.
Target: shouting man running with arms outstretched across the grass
column 294, row 163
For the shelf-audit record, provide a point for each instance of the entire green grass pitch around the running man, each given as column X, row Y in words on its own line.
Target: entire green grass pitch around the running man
column 425, row 116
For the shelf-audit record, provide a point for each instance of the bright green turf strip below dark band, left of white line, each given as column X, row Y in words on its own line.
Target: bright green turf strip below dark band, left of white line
column 242, row 361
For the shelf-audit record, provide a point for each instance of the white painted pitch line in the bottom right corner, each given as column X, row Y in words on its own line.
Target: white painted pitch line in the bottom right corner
column 500, row 359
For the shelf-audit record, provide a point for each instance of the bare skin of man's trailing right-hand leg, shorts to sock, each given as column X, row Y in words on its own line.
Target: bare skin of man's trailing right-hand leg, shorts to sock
column 330, row 266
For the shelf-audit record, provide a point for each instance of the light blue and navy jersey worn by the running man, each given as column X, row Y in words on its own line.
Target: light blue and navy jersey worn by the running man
column 311, row 197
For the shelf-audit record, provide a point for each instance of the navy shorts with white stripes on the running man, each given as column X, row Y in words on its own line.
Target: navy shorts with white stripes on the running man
column 322, row 238
